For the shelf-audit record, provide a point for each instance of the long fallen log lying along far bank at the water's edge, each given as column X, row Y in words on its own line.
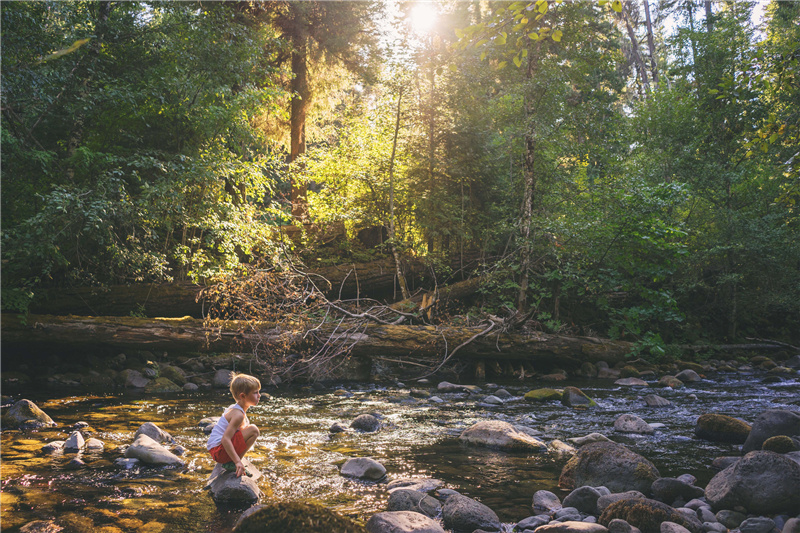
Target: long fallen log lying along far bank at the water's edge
column 404, row 342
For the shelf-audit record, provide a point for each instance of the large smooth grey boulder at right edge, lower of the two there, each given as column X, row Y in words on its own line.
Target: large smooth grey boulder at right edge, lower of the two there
column 761, row 482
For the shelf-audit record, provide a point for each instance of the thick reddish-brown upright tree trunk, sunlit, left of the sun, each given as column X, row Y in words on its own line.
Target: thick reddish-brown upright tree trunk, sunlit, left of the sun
column 300, row 101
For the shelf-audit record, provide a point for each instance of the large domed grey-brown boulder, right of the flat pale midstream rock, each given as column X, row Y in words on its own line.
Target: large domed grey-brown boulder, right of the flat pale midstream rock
column 608, row 464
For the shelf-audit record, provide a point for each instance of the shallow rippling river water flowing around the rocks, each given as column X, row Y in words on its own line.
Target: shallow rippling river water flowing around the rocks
column 300, row 459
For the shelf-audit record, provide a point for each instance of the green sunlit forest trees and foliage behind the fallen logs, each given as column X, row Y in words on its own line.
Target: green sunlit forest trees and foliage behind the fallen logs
column 628, row 169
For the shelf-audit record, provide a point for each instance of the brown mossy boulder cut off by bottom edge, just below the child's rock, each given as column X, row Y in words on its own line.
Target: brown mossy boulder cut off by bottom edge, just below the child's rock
column 295, row 516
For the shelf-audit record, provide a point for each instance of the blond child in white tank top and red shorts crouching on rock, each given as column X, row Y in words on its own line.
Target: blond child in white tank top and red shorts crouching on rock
column 233, row 434
